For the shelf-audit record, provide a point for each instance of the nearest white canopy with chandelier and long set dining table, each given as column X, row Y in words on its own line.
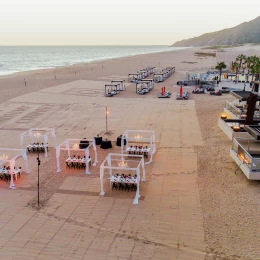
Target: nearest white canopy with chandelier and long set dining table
column 122, row 163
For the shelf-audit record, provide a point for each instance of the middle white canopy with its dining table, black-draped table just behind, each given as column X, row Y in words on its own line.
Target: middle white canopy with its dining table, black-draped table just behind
column 74, row 145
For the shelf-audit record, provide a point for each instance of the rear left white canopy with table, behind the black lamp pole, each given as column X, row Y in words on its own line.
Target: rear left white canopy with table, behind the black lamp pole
column 39, row 138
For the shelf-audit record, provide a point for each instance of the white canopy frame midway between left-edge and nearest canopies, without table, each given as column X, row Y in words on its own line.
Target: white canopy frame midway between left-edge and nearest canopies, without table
column 76, row 145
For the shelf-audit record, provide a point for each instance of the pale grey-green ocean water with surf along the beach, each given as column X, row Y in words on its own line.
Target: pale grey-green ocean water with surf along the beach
column 25, row 58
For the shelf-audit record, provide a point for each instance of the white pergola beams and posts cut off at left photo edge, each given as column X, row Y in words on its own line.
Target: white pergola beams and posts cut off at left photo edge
column 11, row 162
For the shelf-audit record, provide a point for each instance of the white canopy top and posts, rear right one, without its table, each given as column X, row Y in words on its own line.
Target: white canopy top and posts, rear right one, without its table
column 138, row 137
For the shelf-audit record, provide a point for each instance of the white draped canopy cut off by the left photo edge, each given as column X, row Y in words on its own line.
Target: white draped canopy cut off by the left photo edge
column 8, row 155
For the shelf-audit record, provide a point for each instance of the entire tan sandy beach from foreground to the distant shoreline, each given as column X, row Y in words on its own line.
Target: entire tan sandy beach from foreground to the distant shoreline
column 195, row 204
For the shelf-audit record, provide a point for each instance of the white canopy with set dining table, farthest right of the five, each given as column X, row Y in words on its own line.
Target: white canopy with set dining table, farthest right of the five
column 140, row 142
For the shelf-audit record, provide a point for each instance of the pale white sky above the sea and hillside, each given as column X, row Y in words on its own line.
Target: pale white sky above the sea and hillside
column 117, row 22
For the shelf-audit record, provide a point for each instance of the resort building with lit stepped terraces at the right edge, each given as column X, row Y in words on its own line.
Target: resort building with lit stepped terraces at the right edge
column 245, row 149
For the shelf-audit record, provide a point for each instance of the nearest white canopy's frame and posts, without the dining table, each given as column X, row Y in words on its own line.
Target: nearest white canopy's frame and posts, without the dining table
column 120, row 162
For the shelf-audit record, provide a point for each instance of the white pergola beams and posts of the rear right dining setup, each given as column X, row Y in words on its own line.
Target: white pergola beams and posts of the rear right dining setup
column 150, row 140
